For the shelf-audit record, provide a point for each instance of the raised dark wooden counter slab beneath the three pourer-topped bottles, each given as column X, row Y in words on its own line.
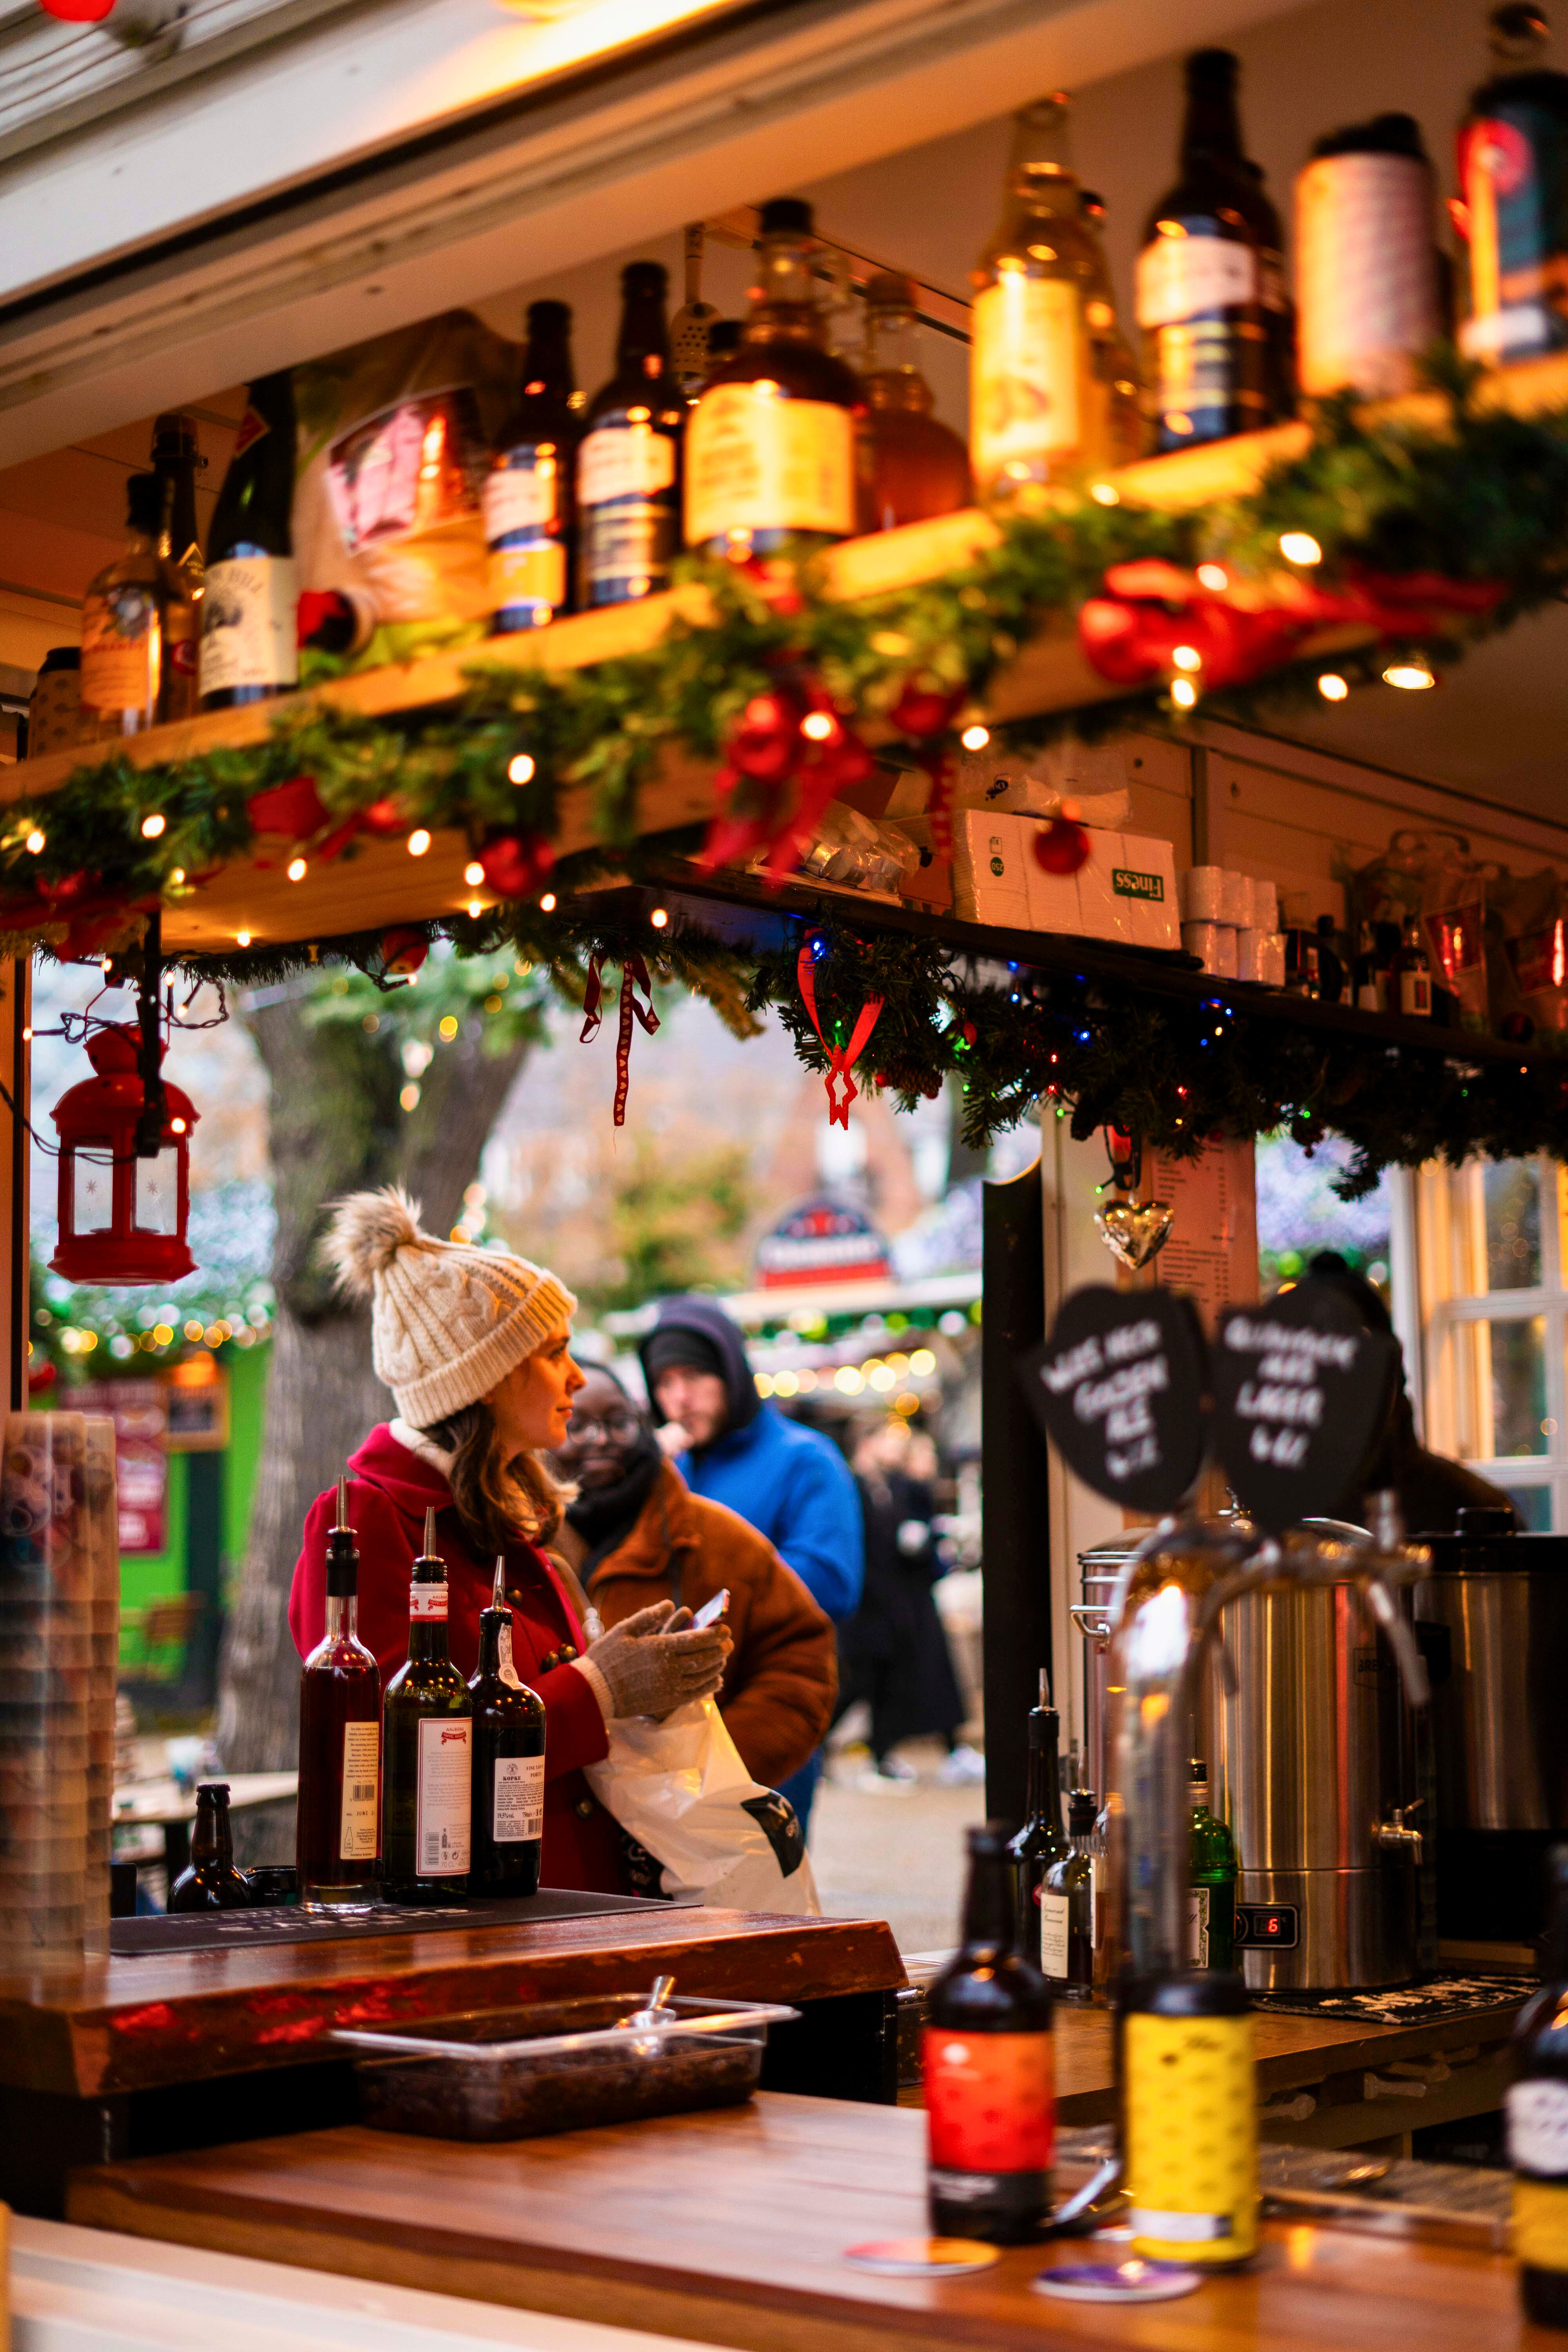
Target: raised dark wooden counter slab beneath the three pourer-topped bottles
column 182, row 2017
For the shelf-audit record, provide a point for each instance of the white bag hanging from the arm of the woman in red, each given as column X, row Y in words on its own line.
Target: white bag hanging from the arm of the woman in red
column 683, row 1791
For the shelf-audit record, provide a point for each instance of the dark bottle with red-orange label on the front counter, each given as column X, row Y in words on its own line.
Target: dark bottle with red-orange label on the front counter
column 989, row 2064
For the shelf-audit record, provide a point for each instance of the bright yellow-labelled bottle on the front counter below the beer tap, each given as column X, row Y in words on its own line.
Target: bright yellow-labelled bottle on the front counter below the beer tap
column 1191, row 2118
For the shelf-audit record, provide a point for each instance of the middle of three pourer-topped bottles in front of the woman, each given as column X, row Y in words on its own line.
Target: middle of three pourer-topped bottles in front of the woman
column 427, row 1753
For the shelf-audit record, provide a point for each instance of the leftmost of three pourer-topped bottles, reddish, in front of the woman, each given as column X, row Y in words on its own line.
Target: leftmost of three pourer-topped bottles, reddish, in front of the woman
column 340, row 1744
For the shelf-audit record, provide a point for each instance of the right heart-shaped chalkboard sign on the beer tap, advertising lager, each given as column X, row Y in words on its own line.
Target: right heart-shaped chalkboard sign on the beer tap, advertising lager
column 1301, row 1401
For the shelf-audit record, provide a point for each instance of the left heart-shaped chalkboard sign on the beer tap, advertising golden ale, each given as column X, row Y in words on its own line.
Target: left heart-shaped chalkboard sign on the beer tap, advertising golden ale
column 1120, row 1387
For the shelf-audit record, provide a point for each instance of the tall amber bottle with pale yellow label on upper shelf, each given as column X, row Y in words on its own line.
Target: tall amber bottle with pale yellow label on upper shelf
column 1033, row 410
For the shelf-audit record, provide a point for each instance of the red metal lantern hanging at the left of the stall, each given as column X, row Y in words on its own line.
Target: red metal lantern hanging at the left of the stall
column 121, row 1220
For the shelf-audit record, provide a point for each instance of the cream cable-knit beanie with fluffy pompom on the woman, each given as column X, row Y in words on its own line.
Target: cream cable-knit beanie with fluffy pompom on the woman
column 448, row 1321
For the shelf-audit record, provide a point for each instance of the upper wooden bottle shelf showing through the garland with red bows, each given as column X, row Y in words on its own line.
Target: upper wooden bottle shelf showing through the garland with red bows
column 382, row 883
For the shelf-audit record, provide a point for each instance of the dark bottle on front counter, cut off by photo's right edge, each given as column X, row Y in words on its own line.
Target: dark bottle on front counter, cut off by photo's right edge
column 1539, row 2120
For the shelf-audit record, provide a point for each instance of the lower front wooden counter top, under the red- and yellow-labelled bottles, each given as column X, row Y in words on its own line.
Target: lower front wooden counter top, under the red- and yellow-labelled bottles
column 730, row 2229
